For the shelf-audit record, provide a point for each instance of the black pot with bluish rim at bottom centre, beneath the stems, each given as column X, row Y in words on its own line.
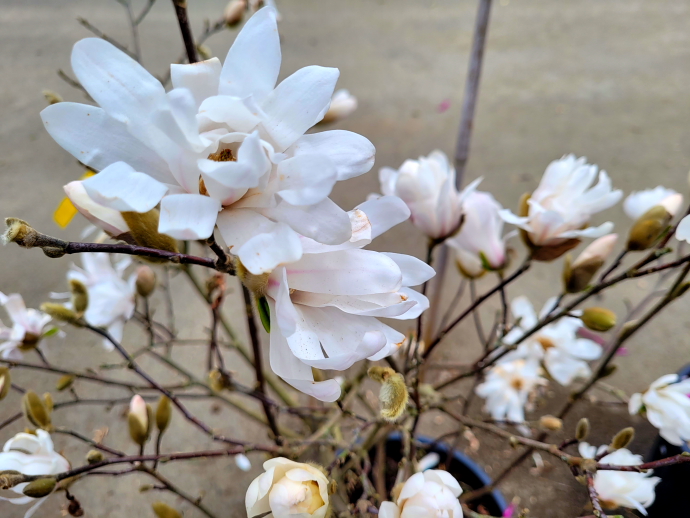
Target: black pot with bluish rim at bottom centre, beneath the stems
column 464, row 469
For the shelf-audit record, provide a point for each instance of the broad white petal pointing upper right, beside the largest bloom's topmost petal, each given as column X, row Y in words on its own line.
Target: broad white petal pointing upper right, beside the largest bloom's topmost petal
column 298, row 103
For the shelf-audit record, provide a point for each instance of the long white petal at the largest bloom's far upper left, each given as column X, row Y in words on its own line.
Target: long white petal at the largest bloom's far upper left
column 120, row 85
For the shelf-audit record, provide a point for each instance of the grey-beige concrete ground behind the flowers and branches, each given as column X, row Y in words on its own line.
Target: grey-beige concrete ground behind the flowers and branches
column 603, row 79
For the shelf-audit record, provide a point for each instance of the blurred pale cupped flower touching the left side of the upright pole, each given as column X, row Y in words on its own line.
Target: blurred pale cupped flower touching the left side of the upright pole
column 427, row 185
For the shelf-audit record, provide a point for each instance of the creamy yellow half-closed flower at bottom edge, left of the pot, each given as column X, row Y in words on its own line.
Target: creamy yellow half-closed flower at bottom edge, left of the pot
column 287, row 489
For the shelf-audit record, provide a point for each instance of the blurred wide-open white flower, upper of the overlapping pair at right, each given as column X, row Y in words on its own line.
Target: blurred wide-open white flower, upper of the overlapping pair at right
column 557, row 345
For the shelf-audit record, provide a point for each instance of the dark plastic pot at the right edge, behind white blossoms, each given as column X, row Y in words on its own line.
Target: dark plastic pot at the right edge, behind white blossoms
column 672, row 495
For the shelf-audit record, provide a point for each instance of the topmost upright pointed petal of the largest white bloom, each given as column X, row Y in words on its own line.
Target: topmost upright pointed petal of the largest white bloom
column 253, row 62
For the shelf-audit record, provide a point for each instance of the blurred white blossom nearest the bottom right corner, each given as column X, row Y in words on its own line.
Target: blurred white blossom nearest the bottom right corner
column 621, row 488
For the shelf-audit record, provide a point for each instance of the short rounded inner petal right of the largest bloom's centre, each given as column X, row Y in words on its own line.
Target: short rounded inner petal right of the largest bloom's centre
column 306, row 179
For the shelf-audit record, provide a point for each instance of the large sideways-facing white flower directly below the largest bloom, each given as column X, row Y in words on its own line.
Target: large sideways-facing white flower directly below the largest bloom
column 324, row 306
